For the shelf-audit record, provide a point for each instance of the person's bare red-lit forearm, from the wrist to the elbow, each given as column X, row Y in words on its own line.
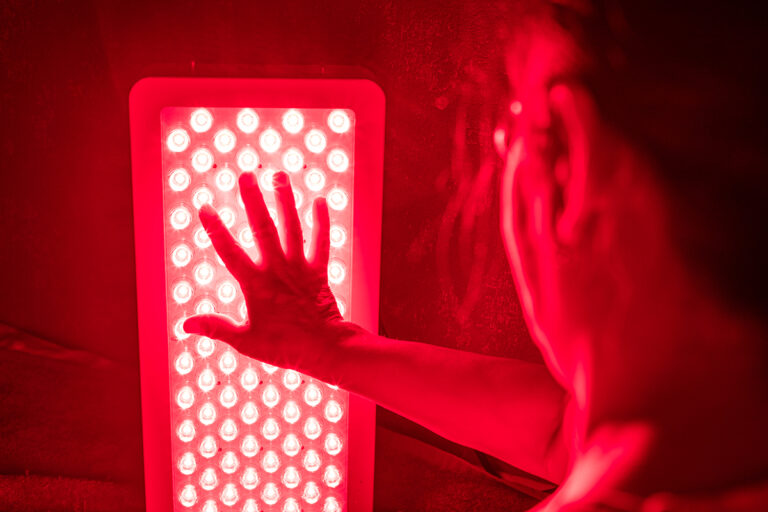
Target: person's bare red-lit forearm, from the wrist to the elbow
column 508, row 408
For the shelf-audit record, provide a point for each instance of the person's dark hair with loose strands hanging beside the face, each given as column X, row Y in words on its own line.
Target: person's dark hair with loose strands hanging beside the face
column 685, row 85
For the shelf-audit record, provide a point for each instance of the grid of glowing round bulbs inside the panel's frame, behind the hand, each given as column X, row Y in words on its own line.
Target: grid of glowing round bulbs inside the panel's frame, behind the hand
column 248, row 436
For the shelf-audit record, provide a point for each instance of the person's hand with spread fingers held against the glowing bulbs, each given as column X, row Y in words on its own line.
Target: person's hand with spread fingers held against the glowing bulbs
column 293, row 320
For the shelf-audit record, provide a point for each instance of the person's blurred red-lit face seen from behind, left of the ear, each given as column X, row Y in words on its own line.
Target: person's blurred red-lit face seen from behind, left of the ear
column 529, row 194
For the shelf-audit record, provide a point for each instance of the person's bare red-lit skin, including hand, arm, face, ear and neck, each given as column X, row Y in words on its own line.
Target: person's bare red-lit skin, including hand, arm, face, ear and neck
column 652, row 383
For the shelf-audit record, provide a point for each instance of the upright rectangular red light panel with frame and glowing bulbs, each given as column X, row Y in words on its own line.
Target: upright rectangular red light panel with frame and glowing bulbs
column 223, row 431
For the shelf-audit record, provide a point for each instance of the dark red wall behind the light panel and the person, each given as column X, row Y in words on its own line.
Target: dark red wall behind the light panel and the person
column 66, row 262
